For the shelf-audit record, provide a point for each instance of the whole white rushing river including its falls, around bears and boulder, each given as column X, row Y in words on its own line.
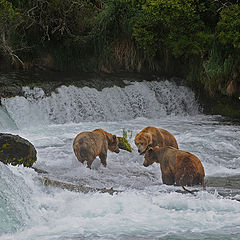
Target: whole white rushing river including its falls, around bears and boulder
column 142, row 207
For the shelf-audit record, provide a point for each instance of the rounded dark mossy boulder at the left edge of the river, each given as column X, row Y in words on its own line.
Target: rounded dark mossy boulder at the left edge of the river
column 16, row 150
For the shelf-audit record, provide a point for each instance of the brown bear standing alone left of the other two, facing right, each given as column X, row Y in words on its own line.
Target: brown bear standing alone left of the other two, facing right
column 88, row 145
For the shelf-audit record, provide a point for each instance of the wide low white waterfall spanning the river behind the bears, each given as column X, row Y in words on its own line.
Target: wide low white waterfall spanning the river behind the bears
column 72, row 104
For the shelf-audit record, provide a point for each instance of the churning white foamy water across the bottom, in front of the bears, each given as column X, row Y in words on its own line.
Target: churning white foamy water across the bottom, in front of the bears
column 146, row 214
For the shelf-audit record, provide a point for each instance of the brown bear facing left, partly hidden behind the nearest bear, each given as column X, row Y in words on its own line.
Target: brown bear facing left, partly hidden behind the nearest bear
column 151, row 137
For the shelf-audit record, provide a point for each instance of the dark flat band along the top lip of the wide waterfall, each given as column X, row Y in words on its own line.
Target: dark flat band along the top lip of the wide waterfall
column 12, row 82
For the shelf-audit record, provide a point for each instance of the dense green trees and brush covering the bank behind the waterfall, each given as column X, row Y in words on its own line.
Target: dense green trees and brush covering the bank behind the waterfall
column 193, row 39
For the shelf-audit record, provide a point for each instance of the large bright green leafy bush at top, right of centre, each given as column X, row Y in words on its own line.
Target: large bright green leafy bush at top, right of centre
column 172, row 24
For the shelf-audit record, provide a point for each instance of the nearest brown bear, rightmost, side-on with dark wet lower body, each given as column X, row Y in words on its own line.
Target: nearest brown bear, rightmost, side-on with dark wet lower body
column 178, row 167
